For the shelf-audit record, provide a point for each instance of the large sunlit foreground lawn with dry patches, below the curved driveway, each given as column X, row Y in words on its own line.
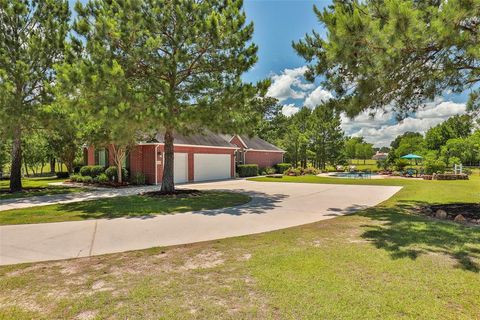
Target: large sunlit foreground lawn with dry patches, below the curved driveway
column 380, row 263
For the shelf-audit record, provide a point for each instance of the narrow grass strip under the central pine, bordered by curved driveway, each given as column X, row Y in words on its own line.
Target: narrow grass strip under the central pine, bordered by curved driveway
column 131, row 206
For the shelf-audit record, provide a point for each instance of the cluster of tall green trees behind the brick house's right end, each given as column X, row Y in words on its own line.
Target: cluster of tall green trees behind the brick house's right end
column 313, row 137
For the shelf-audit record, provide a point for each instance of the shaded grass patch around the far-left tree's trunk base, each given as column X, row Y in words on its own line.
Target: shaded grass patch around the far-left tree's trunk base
column 35, row 187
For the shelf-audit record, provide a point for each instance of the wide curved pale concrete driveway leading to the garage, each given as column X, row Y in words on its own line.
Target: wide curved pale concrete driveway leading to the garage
column 274, row 206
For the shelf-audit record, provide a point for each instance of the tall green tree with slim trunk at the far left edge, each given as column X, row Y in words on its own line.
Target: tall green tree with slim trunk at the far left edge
column 32, row 35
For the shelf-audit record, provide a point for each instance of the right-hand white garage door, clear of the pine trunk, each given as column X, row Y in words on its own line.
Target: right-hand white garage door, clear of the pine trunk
column 212, row 166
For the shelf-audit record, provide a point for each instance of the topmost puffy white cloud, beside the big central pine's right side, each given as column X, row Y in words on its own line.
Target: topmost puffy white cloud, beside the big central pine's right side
column 289, row 84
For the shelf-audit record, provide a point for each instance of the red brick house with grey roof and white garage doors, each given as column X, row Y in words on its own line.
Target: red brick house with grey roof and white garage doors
column 196, row 157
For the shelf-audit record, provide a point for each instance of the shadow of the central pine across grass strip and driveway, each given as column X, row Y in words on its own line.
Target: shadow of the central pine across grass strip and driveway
column 144, row 207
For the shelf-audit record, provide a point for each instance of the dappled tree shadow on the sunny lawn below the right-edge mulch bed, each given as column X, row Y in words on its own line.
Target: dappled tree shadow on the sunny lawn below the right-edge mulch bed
column 406, row 235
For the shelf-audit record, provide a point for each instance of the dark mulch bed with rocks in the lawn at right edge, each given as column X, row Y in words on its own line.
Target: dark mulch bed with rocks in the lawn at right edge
column 469, row 211
